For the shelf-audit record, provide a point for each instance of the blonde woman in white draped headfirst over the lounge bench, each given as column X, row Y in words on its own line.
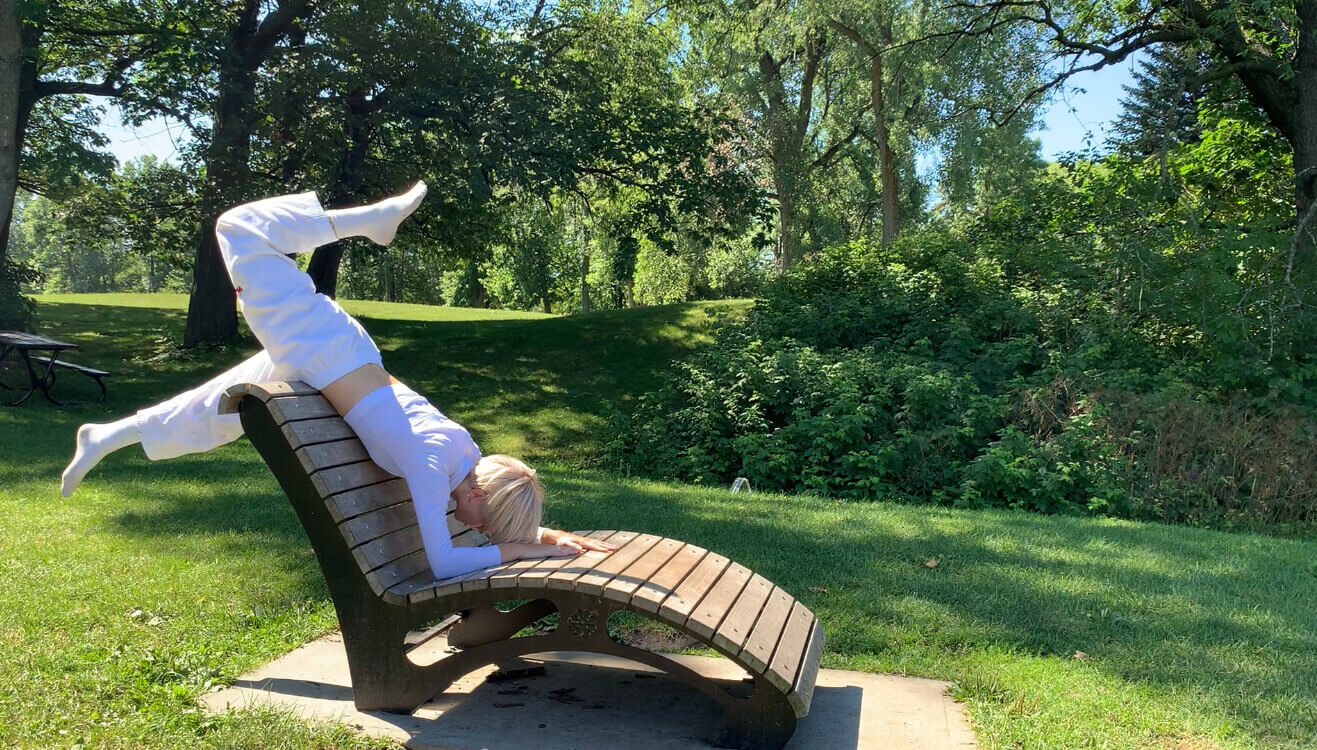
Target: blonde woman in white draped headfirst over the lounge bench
column 309, row 337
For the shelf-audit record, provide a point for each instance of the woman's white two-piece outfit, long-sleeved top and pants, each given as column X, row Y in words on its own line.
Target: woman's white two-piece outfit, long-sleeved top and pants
column 309, row 337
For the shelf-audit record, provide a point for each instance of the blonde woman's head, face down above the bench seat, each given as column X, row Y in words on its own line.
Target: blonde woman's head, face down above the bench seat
column 501, row 498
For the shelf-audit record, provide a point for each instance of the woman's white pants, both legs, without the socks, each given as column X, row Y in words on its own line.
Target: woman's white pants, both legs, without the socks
column 306, row 335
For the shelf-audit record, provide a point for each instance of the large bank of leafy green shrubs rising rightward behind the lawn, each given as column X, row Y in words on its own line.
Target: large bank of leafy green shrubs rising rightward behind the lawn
column 1106, row 339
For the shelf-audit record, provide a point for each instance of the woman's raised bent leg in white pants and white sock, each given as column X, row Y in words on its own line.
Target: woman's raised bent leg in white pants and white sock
column 309, row 335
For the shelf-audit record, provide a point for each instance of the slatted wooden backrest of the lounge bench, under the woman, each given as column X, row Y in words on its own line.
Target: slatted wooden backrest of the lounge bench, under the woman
column 371, row 508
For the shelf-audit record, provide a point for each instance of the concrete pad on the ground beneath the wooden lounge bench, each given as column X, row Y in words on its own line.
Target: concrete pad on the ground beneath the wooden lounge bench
column 592, row 701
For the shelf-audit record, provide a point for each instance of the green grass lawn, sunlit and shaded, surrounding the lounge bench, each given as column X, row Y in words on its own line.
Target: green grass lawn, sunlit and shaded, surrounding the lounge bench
column 156, row 582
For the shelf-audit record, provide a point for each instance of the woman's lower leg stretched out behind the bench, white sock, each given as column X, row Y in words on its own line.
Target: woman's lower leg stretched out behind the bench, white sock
column 186, row 424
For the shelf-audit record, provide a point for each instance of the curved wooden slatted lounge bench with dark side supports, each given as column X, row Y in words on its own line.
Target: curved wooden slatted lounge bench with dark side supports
column 363, row 527
